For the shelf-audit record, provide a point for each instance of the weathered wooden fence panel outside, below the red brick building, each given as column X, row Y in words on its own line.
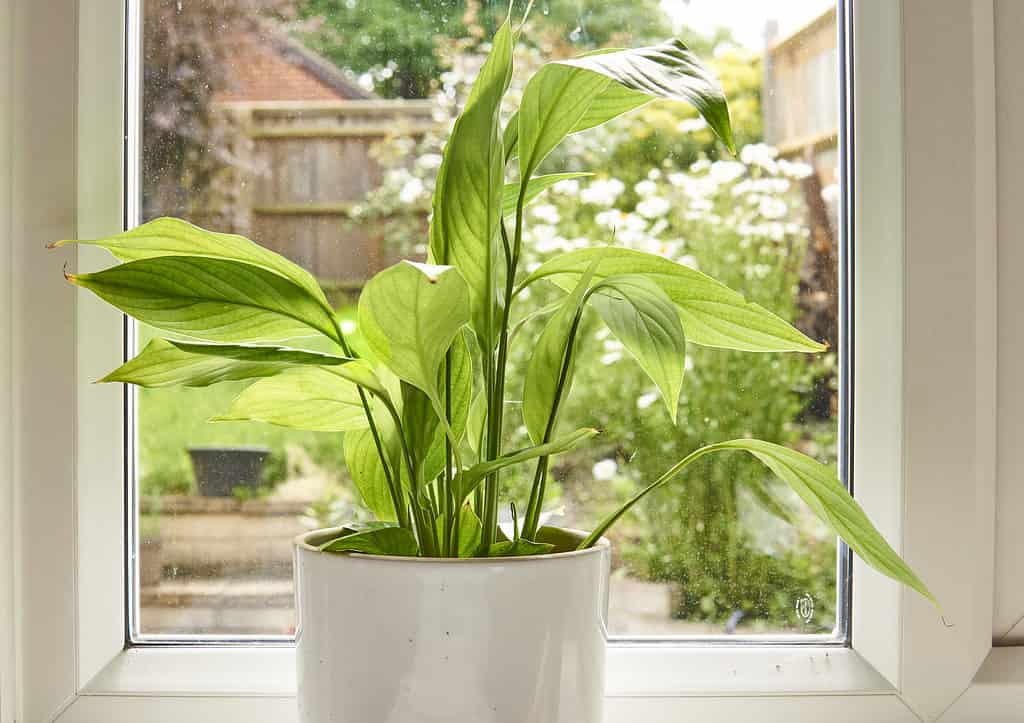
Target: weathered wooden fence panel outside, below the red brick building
column 300, row 169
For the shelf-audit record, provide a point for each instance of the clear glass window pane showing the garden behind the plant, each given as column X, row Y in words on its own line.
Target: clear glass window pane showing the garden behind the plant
column 316, row 127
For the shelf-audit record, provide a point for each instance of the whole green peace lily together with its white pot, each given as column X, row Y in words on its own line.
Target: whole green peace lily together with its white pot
column 435, row 612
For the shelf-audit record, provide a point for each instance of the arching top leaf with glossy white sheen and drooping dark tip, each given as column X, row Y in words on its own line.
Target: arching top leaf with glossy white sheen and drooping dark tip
column 567, row 97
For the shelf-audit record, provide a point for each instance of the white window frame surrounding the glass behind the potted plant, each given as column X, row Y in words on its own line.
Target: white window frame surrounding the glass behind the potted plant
column 930, row 488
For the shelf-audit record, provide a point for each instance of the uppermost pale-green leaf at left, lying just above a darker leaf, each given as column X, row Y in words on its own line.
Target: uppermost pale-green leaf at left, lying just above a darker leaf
column 173, row 237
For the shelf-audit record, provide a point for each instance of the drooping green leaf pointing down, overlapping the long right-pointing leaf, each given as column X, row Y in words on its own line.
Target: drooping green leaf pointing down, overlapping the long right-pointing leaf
column 646, row 321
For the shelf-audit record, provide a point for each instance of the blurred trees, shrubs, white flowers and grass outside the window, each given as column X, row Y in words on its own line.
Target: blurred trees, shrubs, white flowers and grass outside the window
column 664, row 186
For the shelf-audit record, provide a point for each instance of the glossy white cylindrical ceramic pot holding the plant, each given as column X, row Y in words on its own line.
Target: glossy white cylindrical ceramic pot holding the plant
column 416, row 641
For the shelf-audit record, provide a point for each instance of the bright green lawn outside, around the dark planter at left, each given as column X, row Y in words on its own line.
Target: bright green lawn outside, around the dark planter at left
column 173, row 420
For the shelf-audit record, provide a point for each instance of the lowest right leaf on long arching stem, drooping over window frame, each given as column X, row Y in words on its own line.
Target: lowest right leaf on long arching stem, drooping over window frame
column 818, row 486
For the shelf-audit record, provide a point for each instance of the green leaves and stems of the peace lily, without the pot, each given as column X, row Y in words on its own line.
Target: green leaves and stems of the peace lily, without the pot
column 422, row 405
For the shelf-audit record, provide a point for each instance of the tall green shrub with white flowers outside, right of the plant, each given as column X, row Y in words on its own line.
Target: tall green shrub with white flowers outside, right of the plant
column 742, row 222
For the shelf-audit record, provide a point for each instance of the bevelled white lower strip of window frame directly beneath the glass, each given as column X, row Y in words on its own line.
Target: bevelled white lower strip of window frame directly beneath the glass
column 634, row 671
